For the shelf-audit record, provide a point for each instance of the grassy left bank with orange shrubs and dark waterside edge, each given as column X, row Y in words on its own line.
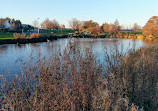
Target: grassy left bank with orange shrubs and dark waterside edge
column 23, row 38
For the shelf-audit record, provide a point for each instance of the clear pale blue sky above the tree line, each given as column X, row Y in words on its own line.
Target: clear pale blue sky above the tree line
column 127, row 12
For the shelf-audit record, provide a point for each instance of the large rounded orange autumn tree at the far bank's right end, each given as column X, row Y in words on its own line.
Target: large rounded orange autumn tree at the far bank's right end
column 151, row 27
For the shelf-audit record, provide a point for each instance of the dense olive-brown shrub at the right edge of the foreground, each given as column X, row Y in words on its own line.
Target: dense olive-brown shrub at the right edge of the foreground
column 141, row 76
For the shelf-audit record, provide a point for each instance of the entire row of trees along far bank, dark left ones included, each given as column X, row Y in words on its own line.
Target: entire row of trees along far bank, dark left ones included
column 89, row 26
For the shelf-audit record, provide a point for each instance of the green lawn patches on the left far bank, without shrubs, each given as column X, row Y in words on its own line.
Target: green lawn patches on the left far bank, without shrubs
column 9, row 35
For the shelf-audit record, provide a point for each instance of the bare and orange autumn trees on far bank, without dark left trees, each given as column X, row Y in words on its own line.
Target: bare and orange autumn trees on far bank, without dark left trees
column 92, row 27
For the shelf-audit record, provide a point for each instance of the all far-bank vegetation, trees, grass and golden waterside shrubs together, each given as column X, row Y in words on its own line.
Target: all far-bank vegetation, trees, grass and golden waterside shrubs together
column 82, row 29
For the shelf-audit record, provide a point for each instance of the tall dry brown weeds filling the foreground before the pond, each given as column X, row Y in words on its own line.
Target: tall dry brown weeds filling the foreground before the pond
column 77, row 81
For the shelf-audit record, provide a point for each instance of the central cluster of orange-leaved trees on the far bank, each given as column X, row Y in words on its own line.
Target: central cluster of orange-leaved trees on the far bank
column 93, row 27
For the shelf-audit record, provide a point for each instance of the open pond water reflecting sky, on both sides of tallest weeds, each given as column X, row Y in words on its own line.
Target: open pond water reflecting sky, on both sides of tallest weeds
column 12, row 56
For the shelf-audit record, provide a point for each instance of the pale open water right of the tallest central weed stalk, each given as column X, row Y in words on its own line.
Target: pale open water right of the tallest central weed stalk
column 100, row 46
